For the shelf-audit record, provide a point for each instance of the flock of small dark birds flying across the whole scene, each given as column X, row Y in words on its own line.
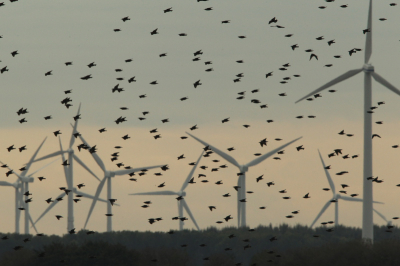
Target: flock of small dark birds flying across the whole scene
column 23, row 117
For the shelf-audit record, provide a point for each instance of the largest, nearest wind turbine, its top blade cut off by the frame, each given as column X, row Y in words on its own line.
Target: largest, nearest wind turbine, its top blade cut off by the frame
column 368, row 69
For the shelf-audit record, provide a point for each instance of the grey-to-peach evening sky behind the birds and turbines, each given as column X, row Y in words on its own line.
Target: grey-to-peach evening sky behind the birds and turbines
column 49, row 33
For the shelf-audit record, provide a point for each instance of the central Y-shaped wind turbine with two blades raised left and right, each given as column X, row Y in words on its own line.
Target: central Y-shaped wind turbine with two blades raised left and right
column 241, row 208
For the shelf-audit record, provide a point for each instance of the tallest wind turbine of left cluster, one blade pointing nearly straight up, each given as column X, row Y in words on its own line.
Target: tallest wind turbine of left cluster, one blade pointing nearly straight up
column 69, row 171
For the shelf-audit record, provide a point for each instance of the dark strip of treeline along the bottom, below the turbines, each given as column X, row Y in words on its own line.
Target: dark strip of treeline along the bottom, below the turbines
column 298, row 245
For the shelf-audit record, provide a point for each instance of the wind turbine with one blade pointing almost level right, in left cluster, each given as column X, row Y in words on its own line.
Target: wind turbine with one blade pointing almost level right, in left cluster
column 107, row 177
